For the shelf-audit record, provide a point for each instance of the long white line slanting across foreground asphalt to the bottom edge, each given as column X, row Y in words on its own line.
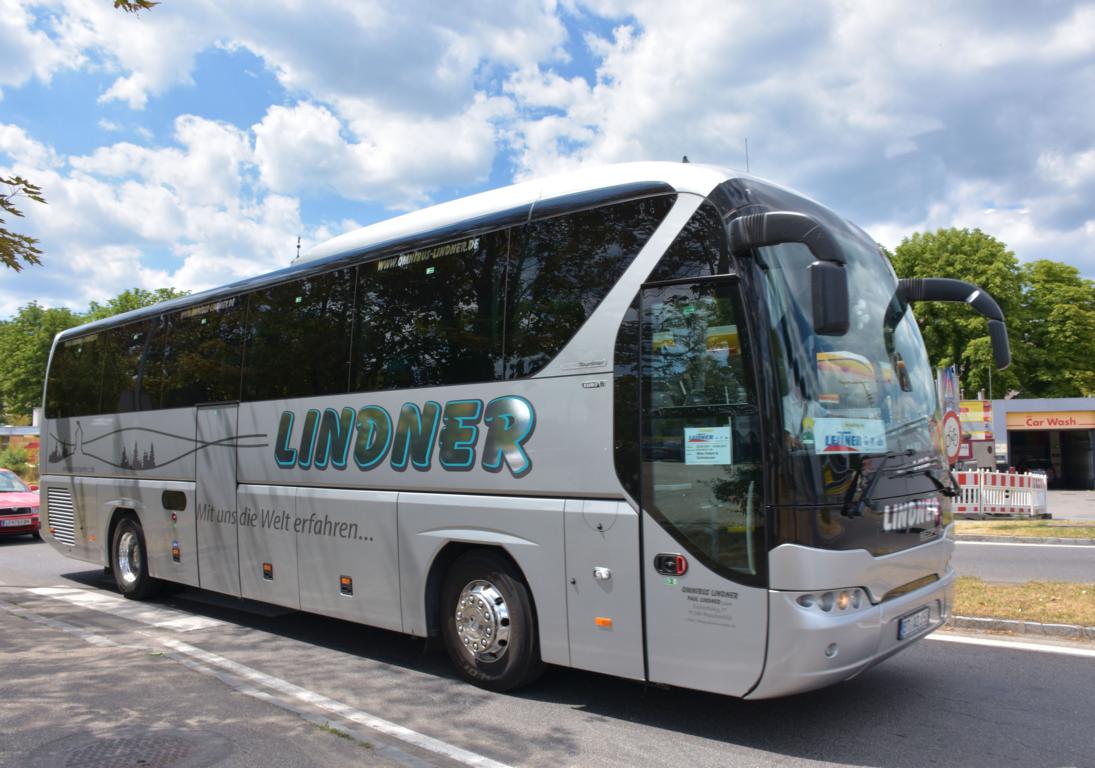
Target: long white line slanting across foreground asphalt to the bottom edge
column 339, row 708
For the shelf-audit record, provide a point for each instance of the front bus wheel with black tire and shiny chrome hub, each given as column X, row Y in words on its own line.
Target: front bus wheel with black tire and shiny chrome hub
column 511, row 654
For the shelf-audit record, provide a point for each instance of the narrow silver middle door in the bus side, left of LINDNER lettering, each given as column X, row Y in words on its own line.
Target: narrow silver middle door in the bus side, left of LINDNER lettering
column 218, row 542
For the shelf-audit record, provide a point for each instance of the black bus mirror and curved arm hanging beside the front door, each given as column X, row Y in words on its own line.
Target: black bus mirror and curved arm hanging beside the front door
column 828, row 279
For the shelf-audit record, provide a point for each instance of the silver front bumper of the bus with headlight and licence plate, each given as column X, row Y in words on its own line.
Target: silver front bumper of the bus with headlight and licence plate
column 810, row 649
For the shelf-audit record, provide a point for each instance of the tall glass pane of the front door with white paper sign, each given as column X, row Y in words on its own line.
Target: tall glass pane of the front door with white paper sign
column 701, row 444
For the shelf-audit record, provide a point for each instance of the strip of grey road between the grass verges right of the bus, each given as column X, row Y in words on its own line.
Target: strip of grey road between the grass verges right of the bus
column 1017, row 564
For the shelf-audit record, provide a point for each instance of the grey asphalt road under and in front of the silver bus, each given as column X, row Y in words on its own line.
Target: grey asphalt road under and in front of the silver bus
column 199, row 668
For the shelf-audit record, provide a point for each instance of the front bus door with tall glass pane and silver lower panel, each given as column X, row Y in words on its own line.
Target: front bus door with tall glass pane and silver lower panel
column 704, row 554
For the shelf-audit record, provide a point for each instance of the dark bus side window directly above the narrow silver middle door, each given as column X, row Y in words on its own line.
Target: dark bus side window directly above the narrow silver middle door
column 202, row 354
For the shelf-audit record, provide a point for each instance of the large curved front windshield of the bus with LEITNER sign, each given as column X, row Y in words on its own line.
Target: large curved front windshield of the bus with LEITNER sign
column 867, row 393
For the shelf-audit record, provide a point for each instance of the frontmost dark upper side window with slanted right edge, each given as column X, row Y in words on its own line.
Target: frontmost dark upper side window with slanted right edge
column 564, row 269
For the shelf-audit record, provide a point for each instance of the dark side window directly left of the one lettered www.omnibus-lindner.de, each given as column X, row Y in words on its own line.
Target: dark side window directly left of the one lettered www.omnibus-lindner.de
column 298, row 338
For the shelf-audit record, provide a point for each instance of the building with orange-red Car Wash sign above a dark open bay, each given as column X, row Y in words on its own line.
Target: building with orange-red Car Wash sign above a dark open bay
column 1053, row 437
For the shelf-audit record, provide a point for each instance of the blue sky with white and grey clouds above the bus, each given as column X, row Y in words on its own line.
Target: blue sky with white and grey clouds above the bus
column 192, row 145
